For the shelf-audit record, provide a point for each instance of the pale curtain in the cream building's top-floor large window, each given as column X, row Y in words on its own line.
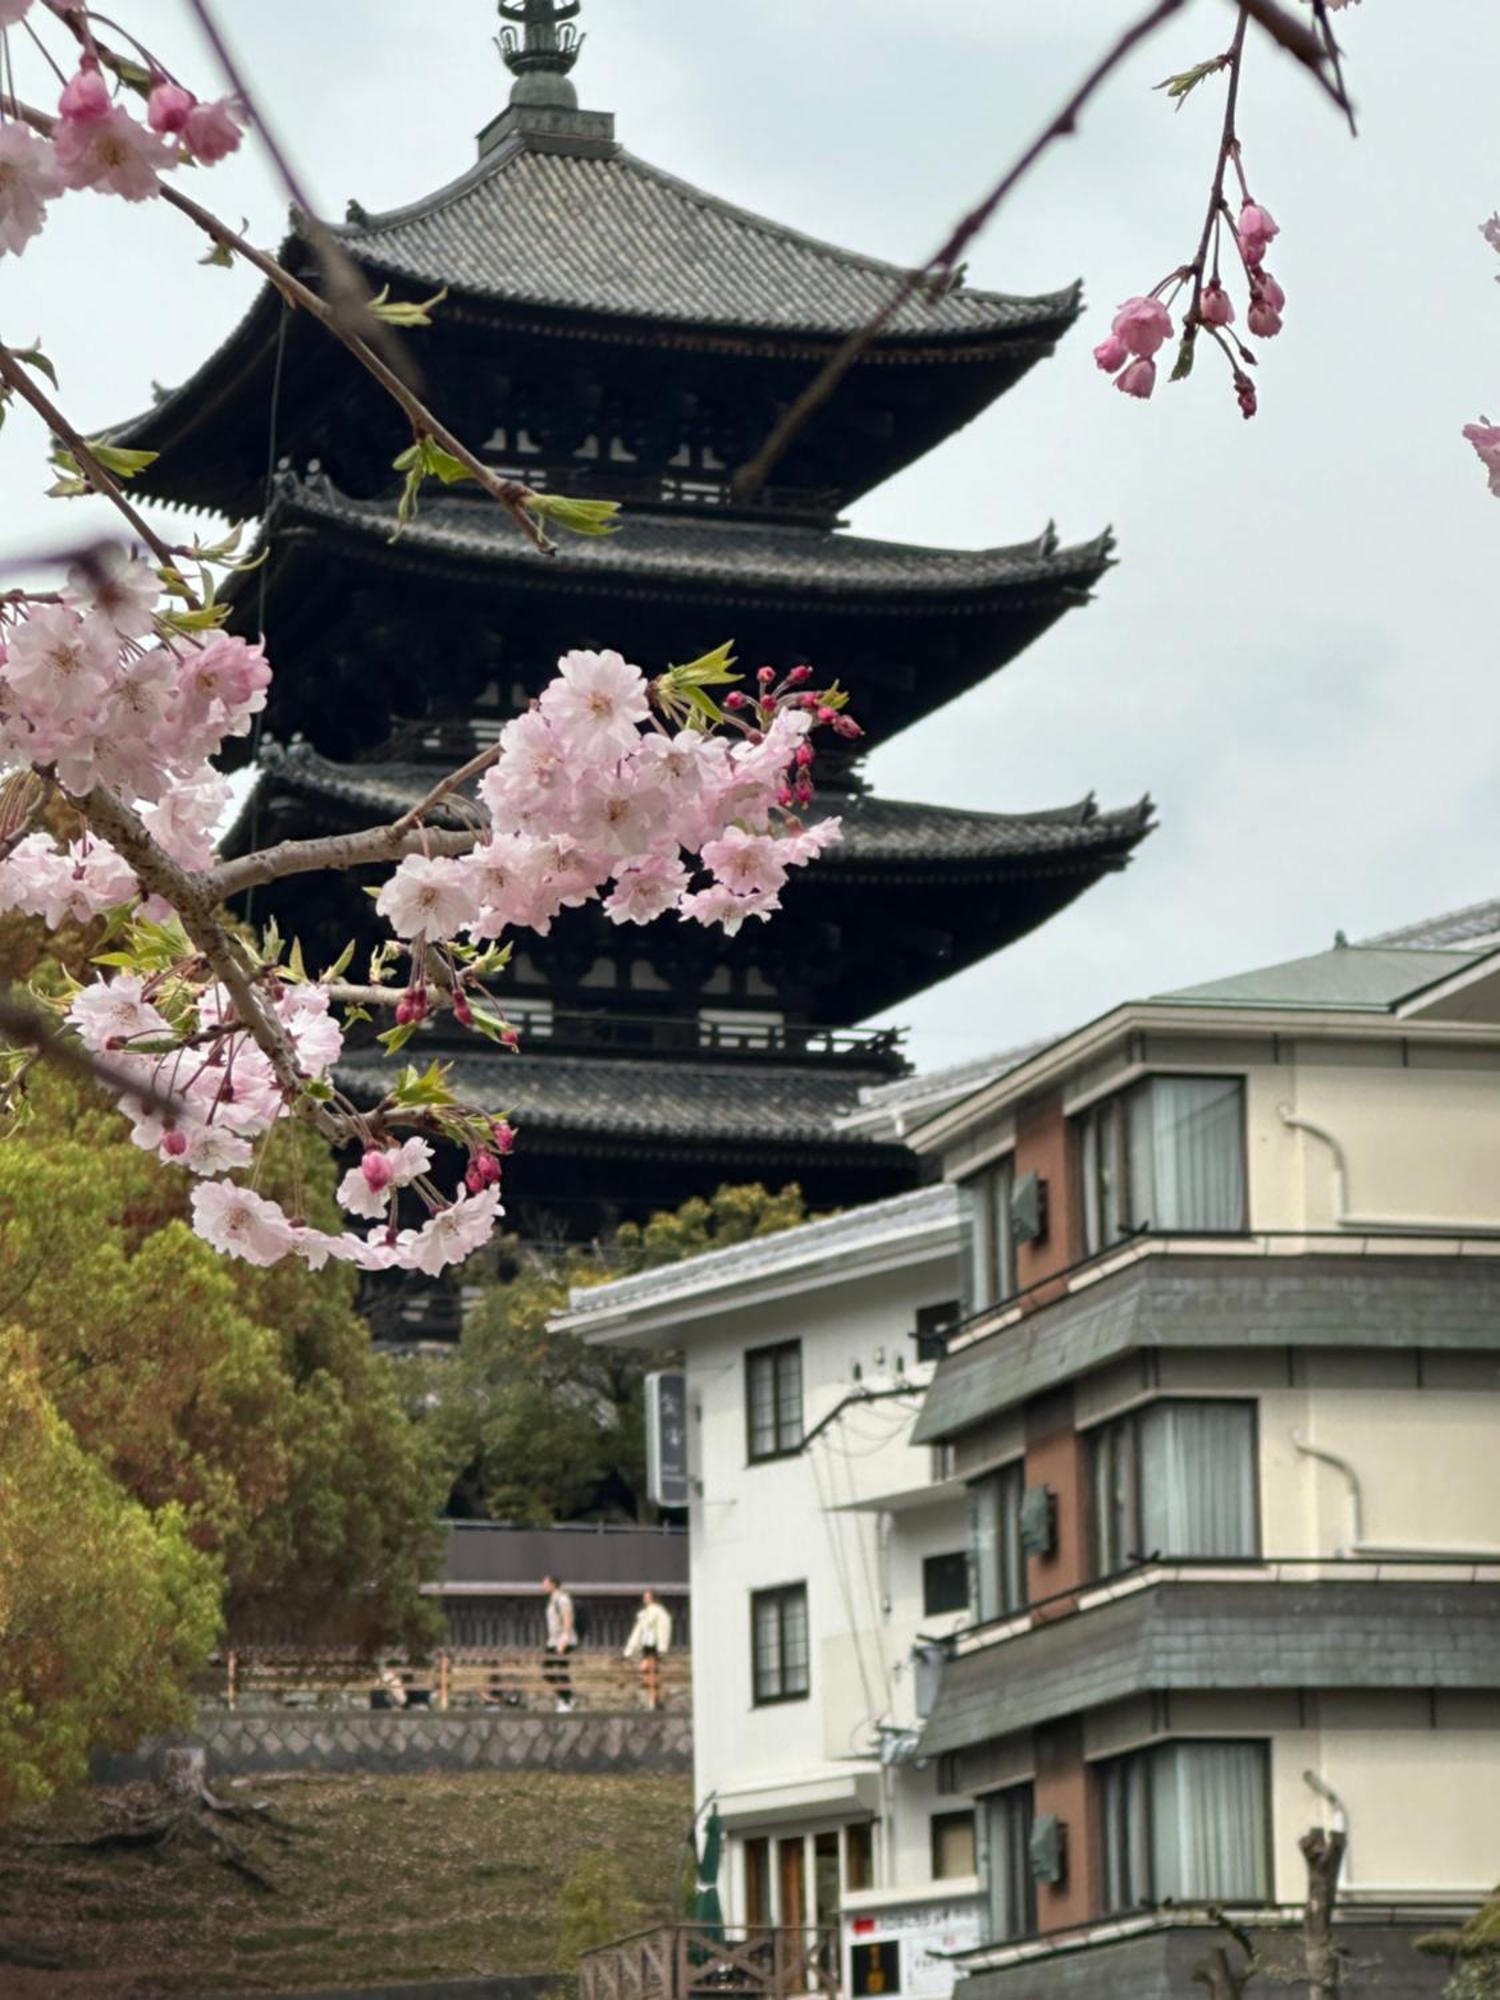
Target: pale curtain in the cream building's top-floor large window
column 1187, row 1155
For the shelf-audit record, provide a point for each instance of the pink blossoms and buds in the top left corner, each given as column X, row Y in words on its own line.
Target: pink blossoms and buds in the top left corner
column 97, row 143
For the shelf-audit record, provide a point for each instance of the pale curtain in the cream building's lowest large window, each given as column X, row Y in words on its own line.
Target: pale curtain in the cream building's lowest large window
column 1209, row 1823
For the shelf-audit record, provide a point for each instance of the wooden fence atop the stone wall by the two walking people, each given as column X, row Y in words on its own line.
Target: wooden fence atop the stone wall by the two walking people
column 451, row 1679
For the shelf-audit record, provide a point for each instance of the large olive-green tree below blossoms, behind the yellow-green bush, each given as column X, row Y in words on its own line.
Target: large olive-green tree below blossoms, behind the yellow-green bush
column 247, row 1401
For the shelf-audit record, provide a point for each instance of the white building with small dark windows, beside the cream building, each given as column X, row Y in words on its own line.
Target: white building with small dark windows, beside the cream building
column 827, row 1565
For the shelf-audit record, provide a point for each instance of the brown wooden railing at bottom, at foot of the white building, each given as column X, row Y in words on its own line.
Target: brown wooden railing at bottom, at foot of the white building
column 703, row 1963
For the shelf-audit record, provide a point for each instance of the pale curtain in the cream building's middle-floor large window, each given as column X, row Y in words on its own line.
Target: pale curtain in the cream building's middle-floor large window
column 1199, row 1479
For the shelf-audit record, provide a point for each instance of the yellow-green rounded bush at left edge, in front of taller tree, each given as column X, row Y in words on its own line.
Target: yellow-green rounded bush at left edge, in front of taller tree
column 107, row 1609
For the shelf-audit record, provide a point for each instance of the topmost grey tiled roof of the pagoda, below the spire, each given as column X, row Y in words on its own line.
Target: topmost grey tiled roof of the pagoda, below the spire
column 611, row 235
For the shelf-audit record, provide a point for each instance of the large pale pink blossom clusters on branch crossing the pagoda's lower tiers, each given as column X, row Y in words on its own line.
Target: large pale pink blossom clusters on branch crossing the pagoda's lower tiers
column 591, row 795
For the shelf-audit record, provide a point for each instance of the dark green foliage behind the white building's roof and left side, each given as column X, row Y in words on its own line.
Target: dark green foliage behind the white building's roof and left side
column 543, row 1425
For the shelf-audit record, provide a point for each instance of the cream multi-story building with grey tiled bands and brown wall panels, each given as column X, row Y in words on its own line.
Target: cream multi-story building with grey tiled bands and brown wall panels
column 1227, row 1407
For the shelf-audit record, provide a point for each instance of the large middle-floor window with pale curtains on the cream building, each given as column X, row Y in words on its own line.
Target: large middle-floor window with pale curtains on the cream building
column 1177, row 1479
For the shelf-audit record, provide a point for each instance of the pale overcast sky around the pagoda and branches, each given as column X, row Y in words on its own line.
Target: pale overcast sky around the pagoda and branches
column 1295, row 655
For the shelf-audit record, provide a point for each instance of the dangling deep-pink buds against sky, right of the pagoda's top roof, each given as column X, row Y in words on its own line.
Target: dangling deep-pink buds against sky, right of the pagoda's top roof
column 1145, row 325
